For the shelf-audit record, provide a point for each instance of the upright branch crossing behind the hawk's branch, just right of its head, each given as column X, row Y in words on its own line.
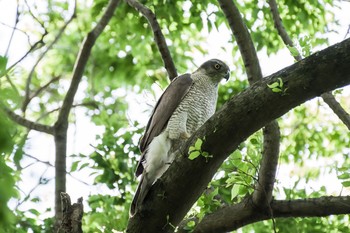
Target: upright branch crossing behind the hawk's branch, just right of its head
column 263, row 193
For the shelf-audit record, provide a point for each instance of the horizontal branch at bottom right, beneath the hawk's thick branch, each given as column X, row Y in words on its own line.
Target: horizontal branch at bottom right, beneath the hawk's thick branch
column 233, row 217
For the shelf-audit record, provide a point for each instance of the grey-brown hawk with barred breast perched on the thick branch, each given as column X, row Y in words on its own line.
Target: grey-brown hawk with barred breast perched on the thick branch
column 185, row 105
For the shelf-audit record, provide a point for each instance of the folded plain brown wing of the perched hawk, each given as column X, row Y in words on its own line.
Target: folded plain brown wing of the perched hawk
column 162, row 112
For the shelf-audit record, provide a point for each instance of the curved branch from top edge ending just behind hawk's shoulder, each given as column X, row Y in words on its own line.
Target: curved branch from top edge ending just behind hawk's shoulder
column 158, row 37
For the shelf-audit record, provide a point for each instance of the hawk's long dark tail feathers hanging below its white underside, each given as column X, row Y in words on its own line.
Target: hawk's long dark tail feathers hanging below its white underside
column 141, row 193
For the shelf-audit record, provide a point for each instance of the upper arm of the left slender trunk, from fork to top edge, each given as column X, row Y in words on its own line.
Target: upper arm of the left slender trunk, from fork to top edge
column 82, row 60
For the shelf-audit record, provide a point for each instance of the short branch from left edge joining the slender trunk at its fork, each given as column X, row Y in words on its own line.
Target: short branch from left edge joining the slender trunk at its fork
column 27, row 123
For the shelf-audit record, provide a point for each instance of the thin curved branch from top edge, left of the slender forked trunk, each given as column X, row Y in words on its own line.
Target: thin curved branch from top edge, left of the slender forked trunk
column 27, row 97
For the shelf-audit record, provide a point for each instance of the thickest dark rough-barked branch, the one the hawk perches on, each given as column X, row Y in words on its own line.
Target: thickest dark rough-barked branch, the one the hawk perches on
column 174, row 194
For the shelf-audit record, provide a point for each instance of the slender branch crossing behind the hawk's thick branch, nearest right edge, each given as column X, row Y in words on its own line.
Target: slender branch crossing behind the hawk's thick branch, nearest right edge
column 327, row 97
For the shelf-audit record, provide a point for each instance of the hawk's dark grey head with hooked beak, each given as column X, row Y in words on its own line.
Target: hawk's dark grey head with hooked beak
column 215, row 69
